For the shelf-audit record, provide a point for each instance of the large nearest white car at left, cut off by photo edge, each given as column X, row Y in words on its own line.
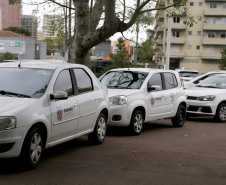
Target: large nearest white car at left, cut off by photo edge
column 43, row 104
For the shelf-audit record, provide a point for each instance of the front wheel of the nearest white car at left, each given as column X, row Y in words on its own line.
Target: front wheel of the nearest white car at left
column 32, row 149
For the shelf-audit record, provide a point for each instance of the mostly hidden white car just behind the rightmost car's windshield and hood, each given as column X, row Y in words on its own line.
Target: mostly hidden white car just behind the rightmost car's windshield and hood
column 196, row 80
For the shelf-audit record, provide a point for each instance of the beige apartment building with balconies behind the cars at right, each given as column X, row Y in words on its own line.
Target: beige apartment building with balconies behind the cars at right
column 198, row 47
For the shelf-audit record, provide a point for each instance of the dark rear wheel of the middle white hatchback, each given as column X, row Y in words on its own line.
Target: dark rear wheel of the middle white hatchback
column 179, row 119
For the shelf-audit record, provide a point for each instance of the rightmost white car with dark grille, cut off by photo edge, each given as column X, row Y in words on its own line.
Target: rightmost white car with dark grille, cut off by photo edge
column 208, row 97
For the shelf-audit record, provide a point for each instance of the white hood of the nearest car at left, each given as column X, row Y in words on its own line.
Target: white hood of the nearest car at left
column 9, row 106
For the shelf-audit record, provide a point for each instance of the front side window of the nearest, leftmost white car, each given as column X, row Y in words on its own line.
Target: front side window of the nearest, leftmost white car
column 64, row 83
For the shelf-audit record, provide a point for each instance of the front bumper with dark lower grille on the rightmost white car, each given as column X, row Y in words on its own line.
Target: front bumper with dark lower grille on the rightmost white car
column 201, row 107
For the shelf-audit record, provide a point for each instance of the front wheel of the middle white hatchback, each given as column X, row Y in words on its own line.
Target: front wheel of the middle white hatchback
column 136, row 122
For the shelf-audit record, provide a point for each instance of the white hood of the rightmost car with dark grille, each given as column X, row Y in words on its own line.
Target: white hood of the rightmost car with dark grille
column 201, row 91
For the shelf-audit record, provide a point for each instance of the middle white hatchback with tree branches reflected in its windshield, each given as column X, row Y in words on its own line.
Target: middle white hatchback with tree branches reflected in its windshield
column 138, row 95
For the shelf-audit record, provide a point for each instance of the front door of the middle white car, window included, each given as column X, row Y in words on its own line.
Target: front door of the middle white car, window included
column 156, row 102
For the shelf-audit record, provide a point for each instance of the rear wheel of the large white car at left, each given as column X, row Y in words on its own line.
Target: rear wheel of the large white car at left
column 99, row 133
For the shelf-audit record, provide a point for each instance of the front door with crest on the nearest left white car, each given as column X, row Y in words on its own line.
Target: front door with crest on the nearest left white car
column 64, row 113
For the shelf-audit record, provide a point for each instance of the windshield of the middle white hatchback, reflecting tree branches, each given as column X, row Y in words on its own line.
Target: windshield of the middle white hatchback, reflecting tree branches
column 124, row 79
